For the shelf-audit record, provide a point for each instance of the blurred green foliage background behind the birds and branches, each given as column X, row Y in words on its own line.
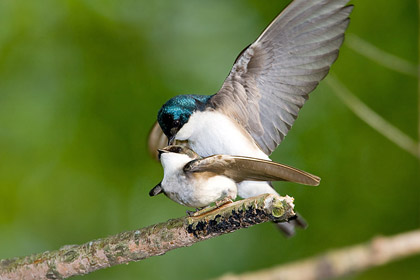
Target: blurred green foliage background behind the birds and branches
column 80, row 86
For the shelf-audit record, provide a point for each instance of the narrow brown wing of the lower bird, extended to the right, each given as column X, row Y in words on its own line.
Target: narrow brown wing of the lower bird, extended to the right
column 245, row 168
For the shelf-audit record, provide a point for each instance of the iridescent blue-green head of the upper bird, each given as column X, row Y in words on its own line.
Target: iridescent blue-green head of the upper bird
column 177, row 111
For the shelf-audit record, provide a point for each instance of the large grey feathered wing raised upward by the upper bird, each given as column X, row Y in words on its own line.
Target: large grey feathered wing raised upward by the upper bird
column 271, row 79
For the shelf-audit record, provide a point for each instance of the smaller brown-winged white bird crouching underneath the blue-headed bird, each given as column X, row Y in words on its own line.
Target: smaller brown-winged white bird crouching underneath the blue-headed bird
column 196, row 182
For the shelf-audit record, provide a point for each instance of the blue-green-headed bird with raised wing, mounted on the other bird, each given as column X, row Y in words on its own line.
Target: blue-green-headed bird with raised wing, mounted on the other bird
column 261, row 97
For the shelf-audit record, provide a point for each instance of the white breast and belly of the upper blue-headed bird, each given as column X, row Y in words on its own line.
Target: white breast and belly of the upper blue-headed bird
column 211, row 132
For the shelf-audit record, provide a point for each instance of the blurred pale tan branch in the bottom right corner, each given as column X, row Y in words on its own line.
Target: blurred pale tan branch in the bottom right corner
column 338, row 263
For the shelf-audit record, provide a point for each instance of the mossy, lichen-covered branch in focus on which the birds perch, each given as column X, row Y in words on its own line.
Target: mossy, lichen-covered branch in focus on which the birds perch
column 146, row 242
